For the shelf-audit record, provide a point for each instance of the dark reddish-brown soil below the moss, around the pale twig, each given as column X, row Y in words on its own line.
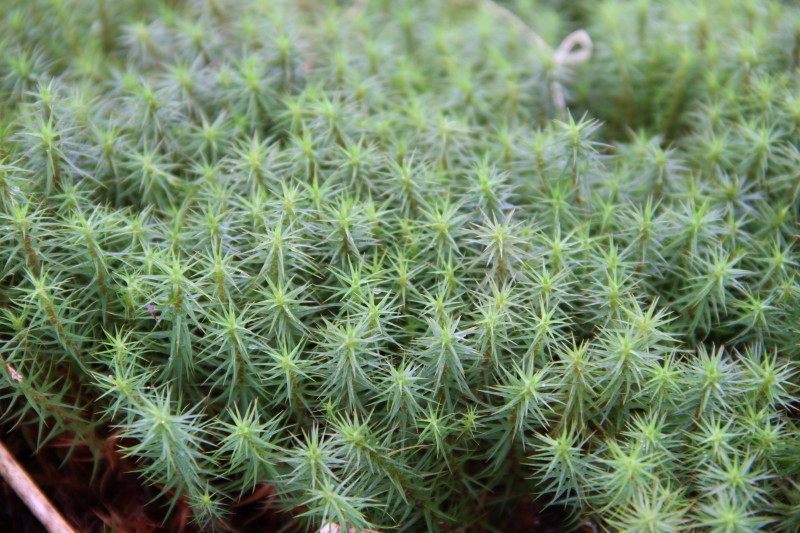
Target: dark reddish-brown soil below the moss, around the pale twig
column 108, row 496
